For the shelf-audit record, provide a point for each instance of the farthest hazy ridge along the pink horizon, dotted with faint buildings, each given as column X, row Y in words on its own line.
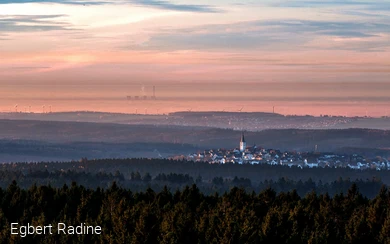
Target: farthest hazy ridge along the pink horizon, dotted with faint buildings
column 249, row 121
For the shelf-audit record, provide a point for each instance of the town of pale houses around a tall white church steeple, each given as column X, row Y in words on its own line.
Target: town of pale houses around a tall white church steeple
column 257, row 155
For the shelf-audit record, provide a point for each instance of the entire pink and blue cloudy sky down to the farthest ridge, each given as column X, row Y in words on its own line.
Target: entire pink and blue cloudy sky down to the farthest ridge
column 303, row 57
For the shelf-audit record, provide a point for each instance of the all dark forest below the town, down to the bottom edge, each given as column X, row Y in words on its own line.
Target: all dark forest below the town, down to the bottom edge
column 165, row 201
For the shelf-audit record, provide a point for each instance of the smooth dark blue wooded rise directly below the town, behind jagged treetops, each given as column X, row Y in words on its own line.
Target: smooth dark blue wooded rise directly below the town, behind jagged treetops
column 256, row 173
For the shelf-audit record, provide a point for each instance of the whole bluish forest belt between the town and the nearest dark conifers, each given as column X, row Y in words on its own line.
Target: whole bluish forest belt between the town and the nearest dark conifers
column 140, row 174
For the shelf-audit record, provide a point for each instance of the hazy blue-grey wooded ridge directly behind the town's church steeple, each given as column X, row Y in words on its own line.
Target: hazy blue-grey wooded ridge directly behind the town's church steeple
column 200, row 137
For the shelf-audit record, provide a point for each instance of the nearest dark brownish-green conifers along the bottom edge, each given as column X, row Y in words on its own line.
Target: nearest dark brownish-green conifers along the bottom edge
column 189, row 216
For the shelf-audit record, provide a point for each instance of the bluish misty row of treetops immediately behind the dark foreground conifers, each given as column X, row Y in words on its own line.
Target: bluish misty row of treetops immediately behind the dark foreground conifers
column 138, row 182
